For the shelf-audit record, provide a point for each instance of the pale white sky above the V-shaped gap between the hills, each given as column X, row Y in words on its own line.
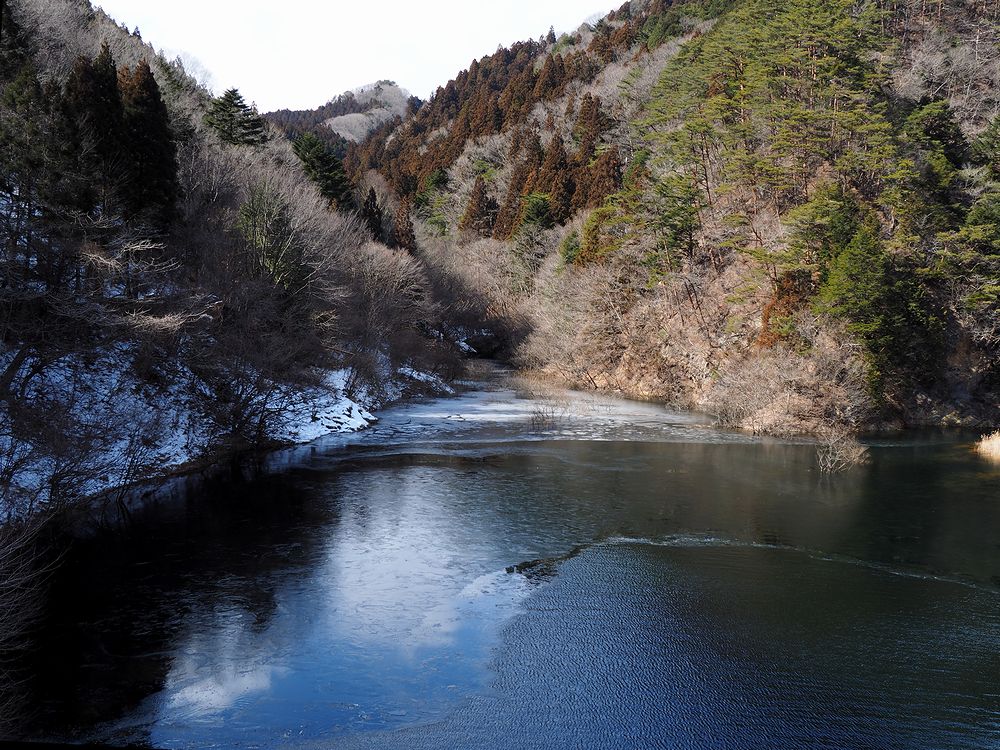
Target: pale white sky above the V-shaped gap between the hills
column 301, row 53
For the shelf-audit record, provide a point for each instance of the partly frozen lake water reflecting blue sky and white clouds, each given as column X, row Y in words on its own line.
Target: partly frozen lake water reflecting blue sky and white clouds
column 509, row 569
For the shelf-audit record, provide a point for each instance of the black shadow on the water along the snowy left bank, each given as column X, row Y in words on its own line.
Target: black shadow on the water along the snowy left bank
column 121, row 598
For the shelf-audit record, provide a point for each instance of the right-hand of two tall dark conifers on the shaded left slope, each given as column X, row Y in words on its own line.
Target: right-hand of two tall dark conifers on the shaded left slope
column 150, row 145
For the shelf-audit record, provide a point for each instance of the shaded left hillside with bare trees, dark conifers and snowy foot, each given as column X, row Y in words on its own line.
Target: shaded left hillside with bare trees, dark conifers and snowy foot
column 174, row 287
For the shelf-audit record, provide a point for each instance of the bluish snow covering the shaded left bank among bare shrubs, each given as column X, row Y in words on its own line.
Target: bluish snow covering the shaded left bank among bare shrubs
column 126, row 429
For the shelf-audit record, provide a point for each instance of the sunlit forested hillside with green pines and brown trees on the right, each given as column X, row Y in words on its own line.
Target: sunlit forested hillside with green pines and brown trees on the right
column 785, row 213
